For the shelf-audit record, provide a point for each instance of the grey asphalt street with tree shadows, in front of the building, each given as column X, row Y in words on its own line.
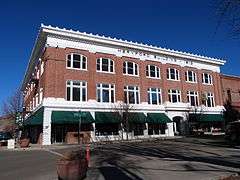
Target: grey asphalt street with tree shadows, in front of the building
column 188, row 158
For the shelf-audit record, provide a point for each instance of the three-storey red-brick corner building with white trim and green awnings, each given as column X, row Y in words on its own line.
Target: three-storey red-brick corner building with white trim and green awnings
column 72, row 74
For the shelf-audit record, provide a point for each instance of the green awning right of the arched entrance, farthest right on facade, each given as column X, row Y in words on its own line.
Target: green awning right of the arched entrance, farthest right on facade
column 206, row 117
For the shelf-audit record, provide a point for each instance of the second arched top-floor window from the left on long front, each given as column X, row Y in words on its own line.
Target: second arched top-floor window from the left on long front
column 105, row 65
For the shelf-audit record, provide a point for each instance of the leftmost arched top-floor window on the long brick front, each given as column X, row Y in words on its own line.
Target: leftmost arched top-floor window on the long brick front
column 77, row 61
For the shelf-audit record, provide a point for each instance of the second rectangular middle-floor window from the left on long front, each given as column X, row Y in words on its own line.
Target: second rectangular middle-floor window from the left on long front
column 105, row 93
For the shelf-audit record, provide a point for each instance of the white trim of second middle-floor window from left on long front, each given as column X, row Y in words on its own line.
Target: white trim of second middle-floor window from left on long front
column 101, row 88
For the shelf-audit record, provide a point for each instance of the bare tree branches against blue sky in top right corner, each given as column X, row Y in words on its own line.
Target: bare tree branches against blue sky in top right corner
column 228, row 12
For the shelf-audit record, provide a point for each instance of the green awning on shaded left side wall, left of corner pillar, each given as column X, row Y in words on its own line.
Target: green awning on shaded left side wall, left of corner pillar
column 35, row 119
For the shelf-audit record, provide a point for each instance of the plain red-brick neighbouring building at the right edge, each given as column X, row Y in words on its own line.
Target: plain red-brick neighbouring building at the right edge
column 231, row 90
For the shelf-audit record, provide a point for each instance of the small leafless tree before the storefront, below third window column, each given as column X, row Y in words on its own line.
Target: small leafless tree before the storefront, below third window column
column 123, row 111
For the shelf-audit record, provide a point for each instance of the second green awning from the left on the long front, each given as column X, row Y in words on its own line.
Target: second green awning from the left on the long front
column 107, row 117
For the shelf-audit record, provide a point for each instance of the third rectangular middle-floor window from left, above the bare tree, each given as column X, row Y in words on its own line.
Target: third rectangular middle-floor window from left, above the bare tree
column 131, row 94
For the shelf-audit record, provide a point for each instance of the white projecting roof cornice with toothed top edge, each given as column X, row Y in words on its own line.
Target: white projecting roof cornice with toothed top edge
column 49, row 30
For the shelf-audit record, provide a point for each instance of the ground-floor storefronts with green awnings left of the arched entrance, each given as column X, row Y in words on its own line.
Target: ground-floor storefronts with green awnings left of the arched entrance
column 85, row 126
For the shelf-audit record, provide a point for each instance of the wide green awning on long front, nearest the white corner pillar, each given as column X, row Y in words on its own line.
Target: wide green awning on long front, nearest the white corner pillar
column 71, row 117
